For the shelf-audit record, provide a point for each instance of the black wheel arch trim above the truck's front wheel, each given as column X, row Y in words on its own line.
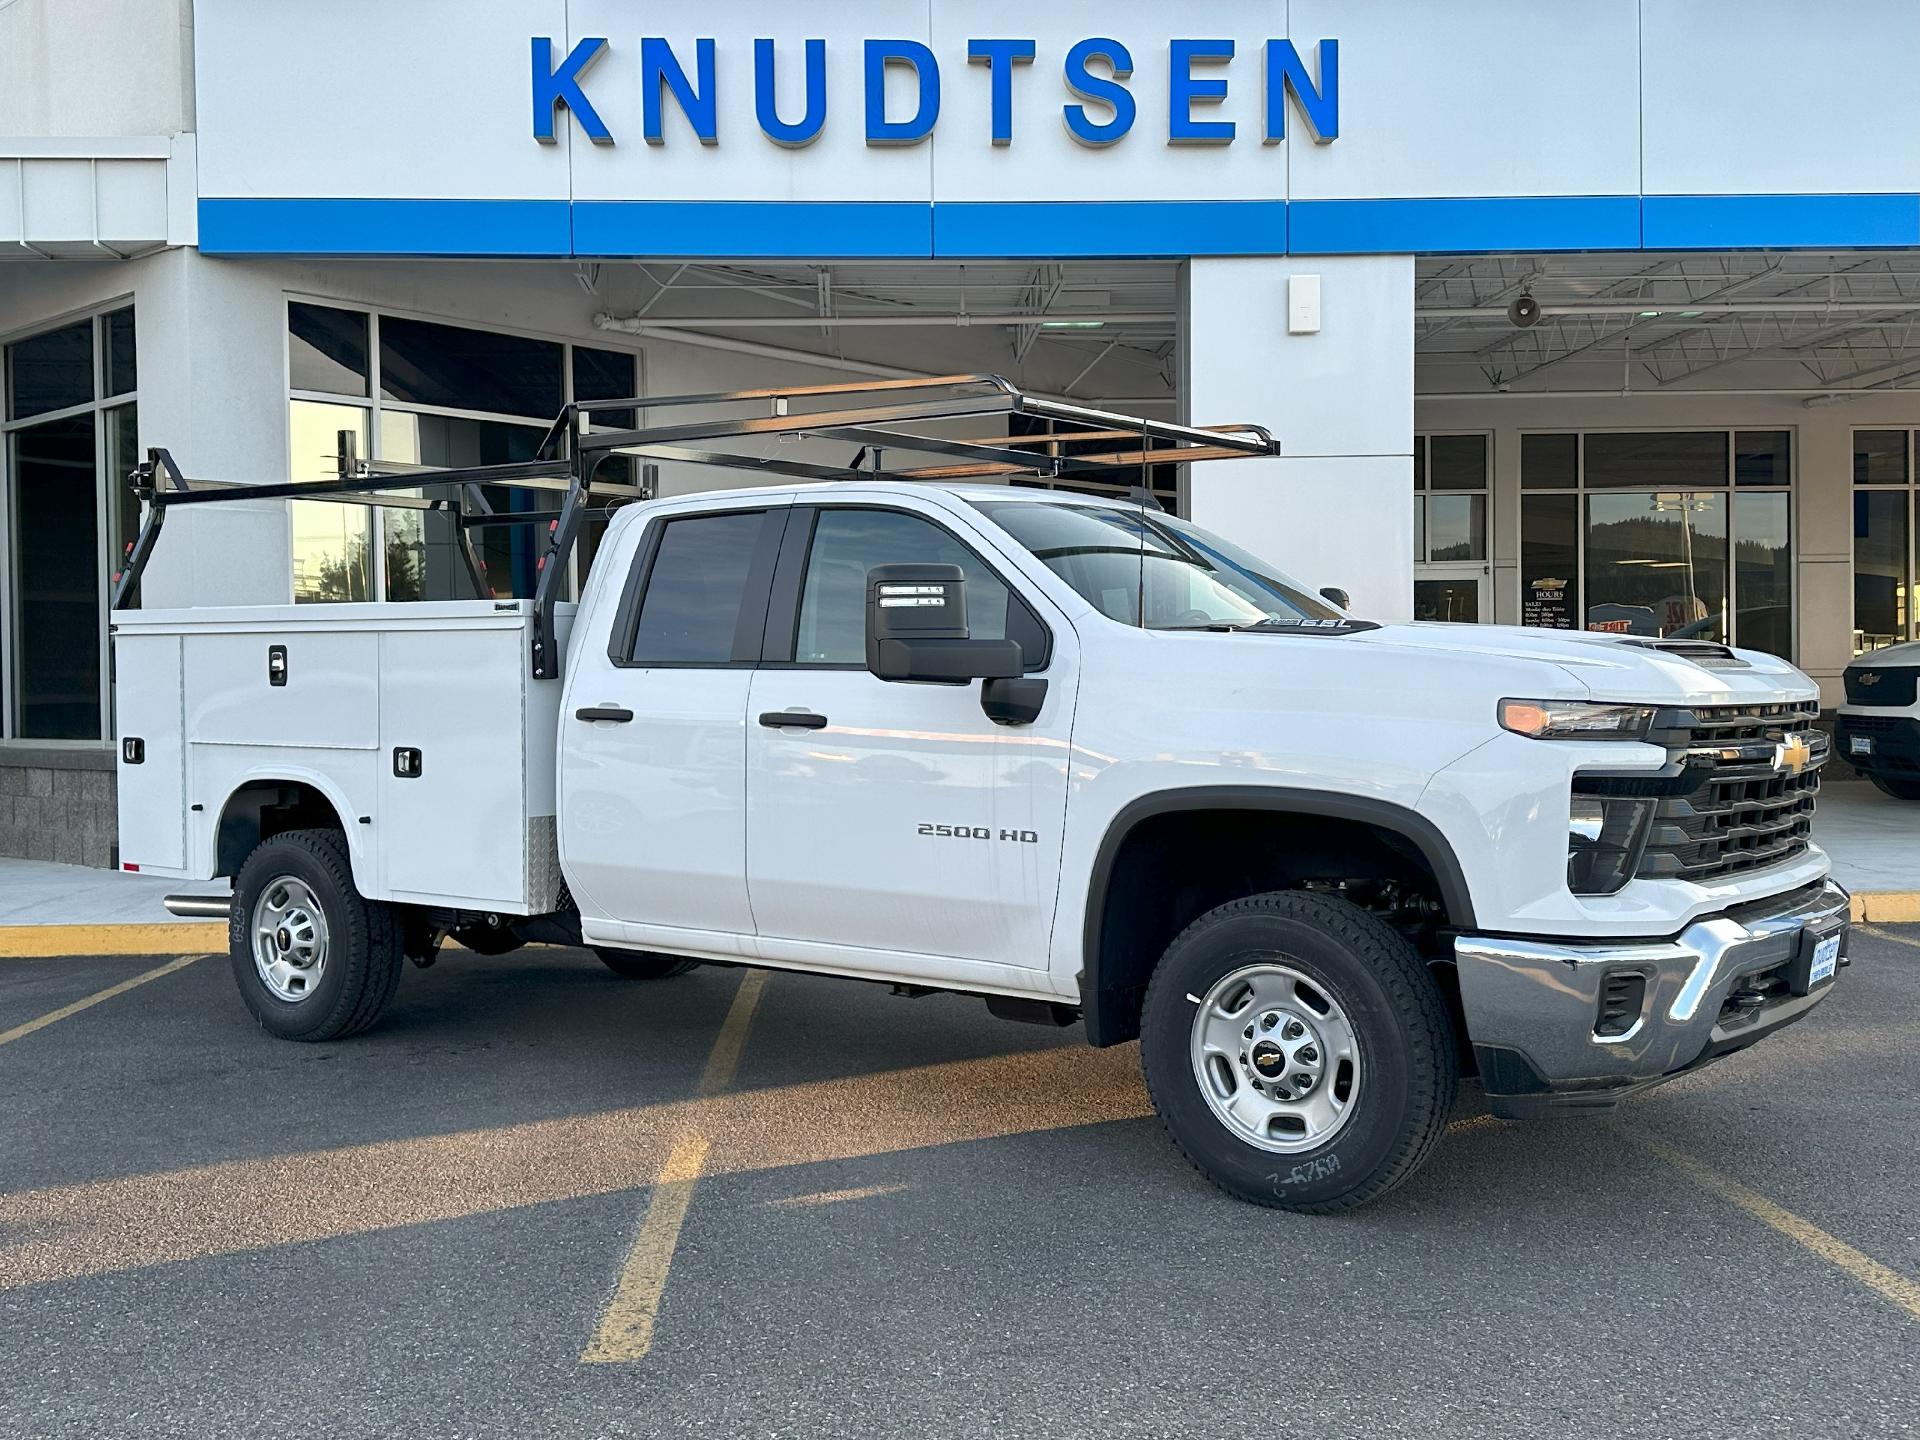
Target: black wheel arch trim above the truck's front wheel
column 1111, row 980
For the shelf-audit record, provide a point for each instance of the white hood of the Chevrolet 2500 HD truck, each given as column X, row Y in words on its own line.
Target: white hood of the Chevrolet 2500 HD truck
column 1618, row 667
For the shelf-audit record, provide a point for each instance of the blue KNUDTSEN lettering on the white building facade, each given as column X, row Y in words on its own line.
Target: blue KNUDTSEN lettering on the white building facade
column 900, row 101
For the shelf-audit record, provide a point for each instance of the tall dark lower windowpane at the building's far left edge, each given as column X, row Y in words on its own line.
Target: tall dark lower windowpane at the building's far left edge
column 57, row 581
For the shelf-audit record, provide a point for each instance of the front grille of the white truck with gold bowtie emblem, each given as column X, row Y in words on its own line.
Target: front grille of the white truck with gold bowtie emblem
column 1735, row 809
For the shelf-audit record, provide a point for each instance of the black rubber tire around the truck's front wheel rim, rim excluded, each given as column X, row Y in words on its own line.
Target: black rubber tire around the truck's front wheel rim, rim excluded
column 1408, row 1065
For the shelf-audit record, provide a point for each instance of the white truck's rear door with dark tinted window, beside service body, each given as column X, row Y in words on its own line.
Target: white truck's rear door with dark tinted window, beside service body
column 654, row 759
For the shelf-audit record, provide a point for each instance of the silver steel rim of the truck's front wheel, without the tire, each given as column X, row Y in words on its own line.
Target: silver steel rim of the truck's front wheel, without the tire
column 1276, row 1059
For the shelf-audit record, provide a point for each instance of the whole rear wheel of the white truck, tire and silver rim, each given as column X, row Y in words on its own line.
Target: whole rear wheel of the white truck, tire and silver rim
column 314, row 961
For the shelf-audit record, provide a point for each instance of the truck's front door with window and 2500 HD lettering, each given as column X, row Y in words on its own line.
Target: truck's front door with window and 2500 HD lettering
column 898, row 817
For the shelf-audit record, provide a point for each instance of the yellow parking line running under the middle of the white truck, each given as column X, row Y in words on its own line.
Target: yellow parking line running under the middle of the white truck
column 627, row 1326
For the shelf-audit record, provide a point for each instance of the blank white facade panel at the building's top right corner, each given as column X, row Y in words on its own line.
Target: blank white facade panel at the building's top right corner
column 1779, row 97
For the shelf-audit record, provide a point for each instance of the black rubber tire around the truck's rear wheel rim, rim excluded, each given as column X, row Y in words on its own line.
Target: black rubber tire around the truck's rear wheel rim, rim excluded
column 364, row 953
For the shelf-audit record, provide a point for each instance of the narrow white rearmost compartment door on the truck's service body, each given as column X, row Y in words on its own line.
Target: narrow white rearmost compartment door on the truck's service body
column 151, row 719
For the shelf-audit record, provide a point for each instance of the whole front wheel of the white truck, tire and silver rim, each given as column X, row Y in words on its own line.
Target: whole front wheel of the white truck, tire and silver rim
column 1299, row 1053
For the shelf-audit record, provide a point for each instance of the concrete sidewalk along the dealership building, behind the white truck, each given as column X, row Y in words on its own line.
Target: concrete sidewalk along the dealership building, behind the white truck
column 1875, row 844
